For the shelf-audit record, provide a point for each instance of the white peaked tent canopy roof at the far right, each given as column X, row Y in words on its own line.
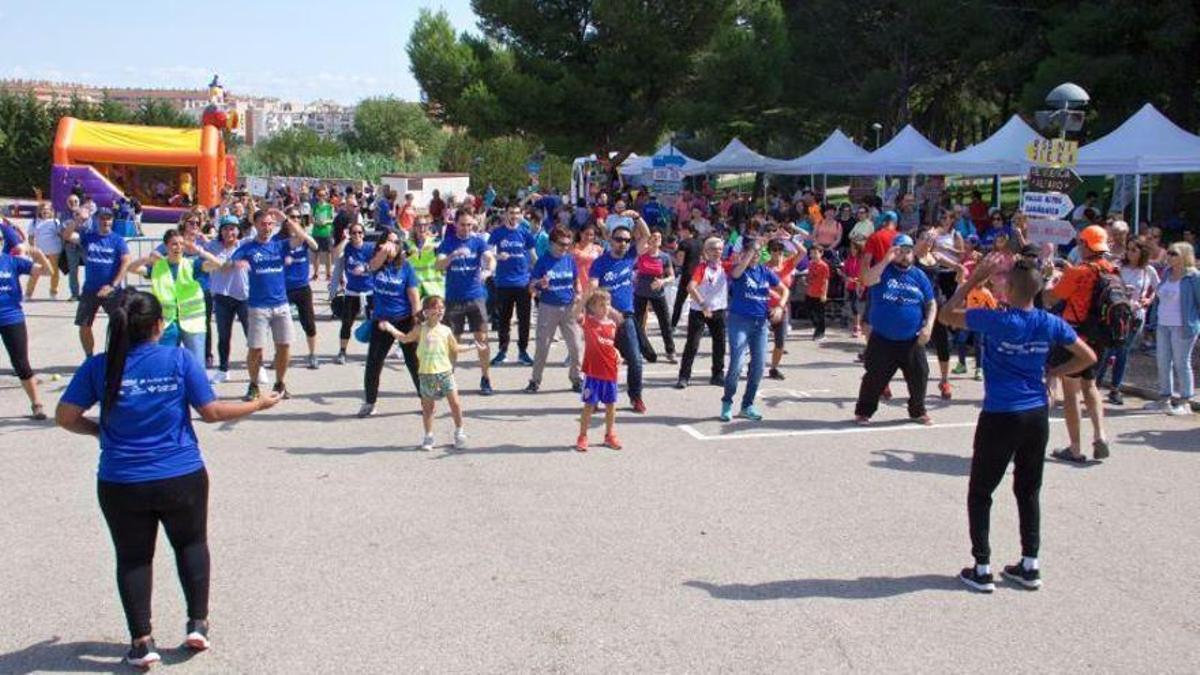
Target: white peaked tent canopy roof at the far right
column 1145, row 144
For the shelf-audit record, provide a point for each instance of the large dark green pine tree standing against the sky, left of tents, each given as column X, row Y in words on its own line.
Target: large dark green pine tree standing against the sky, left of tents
column 597, row 75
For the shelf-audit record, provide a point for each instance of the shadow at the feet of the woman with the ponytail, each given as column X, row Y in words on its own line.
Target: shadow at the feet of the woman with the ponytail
column 55, row 656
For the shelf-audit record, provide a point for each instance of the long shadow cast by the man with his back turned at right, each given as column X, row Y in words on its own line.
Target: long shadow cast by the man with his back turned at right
column 862, row 589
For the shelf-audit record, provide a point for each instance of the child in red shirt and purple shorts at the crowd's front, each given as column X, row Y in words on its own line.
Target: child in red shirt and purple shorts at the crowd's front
column 601, row 362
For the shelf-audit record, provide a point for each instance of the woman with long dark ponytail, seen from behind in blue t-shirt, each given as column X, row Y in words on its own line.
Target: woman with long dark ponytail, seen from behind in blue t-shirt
column 151, row 465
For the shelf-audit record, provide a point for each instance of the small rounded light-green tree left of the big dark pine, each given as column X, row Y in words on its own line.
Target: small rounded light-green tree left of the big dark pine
column 395, row 128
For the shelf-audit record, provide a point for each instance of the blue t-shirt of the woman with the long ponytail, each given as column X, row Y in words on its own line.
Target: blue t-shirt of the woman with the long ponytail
column 148, row 435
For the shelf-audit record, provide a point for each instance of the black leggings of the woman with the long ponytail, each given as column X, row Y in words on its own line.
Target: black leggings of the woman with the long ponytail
column 134, row 512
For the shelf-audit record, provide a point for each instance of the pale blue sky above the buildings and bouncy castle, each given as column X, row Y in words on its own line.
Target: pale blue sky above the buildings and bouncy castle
column 296, row 50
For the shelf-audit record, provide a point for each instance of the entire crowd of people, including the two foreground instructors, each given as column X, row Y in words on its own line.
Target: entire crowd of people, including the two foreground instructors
column 407, row 282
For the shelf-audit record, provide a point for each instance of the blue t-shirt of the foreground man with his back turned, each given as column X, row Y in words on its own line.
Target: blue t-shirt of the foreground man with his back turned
column 1016, row 347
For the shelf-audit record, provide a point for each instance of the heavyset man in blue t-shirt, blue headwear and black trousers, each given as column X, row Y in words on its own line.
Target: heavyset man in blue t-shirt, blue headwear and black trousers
column 903, row 310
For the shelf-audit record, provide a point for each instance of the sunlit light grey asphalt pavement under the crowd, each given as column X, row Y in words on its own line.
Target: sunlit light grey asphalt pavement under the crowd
column 801, row 543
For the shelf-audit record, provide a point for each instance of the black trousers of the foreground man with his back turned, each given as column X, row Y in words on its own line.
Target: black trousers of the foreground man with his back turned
column 1000, row 438
